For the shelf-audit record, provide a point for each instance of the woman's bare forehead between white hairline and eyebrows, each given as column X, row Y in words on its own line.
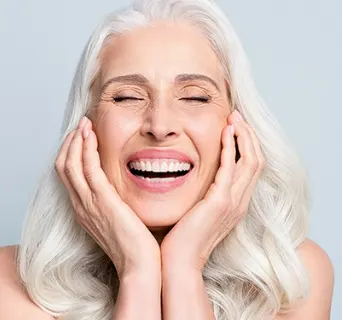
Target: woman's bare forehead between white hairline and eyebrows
column 160, row 52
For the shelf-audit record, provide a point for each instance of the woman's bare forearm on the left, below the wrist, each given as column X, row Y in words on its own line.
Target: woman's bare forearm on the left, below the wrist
column 138, row 298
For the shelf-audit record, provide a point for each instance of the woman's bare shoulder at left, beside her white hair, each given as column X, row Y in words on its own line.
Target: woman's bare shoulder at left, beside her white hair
column 12, row 293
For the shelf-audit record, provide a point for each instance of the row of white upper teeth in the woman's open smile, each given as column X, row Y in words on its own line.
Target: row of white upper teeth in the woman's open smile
column 160, row 165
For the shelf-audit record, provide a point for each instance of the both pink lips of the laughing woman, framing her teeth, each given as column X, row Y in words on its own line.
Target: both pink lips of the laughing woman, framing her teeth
column 159, row 187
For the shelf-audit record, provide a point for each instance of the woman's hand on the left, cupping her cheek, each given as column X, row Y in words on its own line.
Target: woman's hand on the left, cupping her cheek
column 99, row 208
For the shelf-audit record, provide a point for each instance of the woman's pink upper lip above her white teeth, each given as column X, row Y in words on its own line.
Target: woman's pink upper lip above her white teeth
column 159, row 154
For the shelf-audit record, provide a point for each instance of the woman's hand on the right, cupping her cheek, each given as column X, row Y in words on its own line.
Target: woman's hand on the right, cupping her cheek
column 191, row 241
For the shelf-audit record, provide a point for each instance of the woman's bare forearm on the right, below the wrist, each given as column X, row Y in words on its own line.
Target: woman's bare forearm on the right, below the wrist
column 184, row 297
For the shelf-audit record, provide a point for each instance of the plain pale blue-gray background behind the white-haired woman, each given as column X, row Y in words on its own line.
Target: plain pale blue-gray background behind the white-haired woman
column 295, row 51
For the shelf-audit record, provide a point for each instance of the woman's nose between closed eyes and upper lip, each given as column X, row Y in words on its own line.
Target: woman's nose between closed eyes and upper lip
column 160, row 123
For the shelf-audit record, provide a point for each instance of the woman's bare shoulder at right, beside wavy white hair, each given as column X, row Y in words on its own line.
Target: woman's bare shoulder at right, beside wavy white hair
column 321, row 274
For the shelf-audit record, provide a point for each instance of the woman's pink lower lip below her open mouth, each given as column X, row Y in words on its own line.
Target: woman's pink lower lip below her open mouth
column 160, row 186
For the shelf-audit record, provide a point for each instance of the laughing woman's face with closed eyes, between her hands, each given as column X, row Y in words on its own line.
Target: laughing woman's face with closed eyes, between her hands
column 162, row 104
